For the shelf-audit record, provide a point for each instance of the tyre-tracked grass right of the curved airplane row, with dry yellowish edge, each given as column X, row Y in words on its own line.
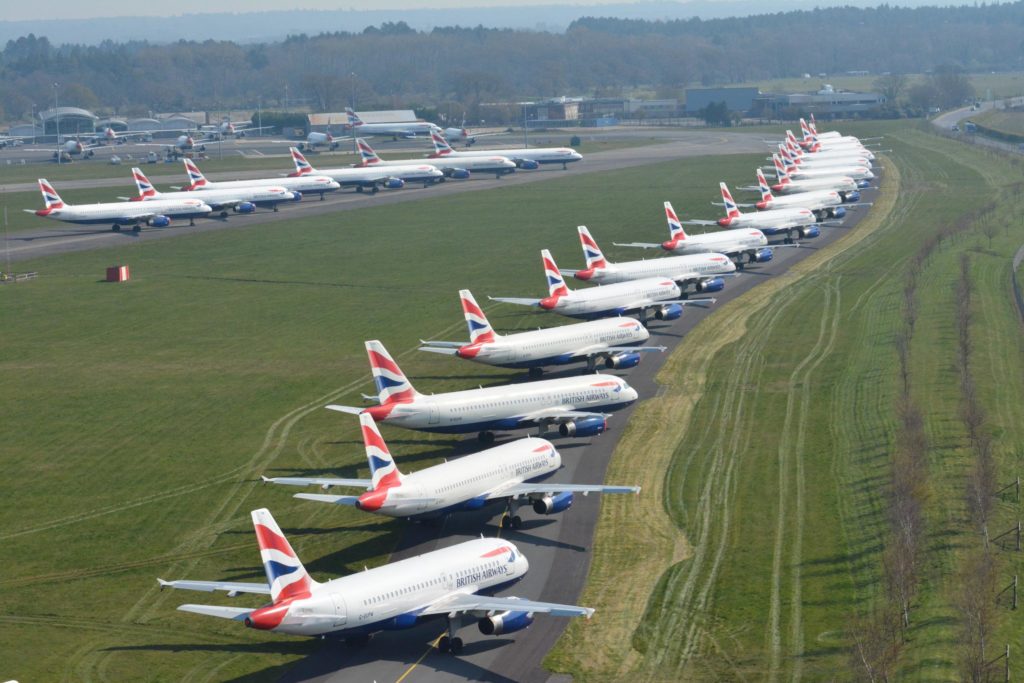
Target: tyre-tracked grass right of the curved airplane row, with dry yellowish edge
column 777, row 491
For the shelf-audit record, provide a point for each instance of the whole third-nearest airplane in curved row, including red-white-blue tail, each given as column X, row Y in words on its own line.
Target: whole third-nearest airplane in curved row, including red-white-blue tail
column 572, row 403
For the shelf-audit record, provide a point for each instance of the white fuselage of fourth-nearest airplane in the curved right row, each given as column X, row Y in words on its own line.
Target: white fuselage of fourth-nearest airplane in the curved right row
column 554, row 347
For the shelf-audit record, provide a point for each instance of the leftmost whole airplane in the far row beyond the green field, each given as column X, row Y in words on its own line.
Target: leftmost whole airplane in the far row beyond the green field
column 117, row 215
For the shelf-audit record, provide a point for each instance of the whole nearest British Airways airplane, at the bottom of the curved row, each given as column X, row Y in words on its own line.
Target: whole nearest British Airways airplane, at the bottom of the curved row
column 450, row 583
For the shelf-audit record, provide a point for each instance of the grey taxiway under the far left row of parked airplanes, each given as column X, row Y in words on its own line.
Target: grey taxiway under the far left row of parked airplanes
column 53, row 238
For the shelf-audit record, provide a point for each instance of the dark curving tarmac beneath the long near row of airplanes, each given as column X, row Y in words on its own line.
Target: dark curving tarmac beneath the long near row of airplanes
column 558, row 547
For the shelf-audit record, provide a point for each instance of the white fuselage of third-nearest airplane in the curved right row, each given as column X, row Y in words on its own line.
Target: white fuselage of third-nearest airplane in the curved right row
column 505, row 407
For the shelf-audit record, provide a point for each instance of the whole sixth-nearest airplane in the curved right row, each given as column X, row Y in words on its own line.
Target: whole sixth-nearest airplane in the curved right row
column 703, row 272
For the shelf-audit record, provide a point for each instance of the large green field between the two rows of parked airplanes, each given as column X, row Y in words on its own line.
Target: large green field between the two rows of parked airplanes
column 139, row 417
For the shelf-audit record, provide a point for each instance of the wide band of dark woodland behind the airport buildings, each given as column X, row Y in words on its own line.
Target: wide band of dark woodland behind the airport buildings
column 456, row 69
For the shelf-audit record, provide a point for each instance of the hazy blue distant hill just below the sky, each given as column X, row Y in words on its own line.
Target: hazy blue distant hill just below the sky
column 274, row 26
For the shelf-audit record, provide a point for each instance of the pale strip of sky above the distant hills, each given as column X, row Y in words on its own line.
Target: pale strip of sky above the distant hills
column 18, row 11
